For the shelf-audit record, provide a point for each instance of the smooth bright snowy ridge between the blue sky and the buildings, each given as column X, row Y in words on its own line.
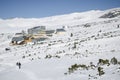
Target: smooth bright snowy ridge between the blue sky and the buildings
column 75, row 18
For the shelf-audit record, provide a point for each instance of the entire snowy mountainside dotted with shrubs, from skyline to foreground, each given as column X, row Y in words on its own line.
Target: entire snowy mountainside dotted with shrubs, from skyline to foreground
column 94, row 37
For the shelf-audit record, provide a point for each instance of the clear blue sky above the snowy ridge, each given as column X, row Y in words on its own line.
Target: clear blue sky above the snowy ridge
column 46, row 8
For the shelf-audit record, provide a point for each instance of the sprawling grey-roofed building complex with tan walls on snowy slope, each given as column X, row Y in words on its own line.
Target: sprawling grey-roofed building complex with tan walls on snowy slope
column 35, row 35
